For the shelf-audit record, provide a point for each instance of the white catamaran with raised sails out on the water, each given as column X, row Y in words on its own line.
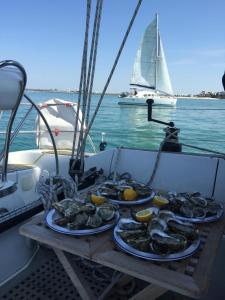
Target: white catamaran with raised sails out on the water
column 150, row 77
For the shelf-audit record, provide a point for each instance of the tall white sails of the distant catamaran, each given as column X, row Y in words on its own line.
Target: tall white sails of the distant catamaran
column 150, row 68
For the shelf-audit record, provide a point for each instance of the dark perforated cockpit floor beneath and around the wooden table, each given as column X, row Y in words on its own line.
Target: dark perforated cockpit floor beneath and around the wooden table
column 46, row 279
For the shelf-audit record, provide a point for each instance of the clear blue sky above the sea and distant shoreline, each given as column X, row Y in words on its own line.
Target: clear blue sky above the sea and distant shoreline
column 46, row 37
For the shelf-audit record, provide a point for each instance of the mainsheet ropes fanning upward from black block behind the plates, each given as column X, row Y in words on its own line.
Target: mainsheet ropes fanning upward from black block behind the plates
column 85, row 88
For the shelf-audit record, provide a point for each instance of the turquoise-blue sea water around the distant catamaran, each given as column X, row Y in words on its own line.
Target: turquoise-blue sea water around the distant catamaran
column 201, row 123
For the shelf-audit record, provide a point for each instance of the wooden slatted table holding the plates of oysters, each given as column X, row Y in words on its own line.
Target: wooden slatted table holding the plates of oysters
column 188, row 277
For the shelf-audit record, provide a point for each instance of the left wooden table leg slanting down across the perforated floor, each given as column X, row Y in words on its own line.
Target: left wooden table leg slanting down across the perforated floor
column 75, row 276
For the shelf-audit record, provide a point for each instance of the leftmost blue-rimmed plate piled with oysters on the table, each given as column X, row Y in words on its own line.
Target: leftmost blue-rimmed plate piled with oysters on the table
column 75, row 217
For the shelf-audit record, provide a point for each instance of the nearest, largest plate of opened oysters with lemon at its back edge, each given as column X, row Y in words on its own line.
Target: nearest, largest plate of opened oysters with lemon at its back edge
column 158, row 236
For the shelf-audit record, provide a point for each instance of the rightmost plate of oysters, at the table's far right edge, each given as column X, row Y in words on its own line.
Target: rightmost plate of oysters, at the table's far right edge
column 194, row 207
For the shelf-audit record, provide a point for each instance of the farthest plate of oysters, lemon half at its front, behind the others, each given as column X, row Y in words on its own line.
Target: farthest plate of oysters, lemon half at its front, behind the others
column 125, row 192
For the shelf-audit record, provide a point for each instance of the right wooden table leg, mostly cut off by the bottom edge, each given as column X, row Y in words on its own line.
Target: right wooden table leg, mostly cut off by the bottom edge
column 152, row 292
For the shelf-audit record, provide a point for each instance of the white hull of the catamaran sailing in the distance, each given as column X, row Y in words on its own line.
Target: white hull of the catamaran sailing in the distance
column 158, row 101
